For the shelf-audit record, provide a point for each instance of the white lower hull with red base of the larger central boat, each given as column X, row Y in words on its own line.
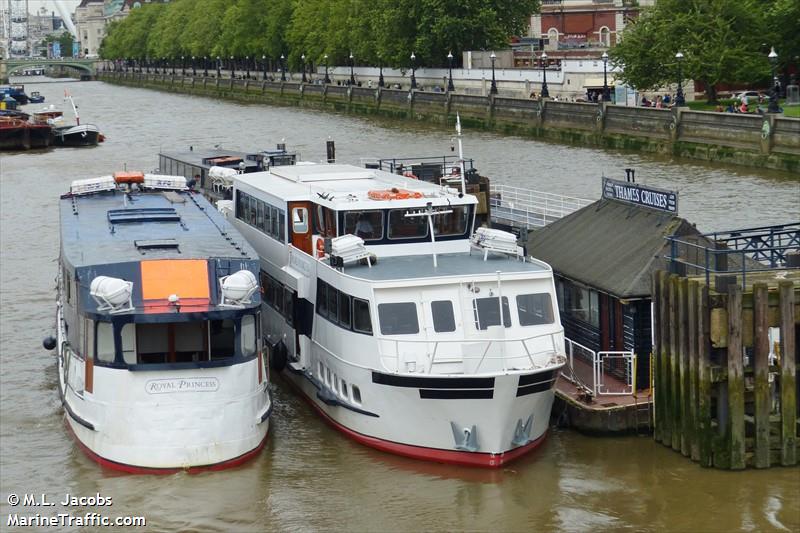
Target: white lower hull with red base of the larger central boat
column 399, row 420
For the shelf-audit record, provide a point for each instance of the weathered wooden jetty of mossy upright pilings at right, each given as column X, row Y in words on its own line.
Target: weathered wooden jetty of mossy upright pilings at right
column 726, row 392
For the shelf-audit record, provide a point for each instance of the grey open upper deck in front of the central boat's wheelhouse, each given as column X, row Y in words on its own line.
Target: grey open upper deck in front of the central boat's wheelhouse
column 449, row 265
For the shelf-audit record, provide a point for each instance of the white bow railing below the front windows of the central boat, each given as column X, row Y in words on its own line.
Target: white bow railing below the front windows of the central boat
column 471, row 356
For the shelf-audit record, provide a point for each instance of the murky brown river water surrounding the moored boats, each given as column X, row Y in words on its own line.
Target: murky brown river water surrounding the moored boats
column 309, row 477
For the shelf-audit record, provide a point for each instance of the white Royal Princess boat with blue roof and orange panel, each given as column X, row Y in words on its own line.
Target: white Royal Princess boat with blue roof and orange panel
column 159, row 351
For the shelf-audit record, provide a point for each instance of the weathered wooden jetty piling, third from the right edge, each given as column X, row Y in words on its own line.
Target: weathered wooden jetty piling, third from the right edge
column 736, row 430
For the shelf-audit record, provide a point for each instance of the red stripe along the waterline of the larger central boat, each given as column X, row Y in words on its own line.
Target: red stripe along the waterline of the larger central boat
column 487, row 460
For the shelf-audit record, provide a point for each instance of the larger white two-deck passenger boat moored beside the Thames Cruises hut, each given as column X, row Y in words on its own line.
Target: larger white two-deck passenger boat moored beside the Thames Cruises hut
column 384, row 310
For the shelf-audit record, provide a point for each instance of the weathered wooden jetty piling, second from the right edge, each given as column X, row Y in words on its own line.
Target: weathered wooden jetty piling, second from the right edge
column 761, row 364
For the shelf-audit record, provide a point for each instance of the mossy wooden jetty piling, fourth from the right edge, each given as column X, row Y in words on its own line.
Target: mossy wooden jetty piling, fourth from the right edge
column 704, row 377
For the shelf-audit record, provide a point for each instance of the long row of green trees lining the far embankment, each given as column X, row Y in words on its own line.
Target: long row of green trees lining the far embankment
column 374, row 31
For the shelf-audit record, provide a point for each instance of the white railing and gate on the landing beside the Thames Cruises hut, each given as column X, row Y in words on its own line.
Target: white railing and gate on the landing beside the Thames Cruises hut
column 599, row 373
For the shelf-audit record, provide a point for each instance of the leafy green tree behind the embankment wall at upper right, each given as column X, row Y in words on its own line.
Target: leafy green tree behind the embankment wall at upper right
column 721, row 42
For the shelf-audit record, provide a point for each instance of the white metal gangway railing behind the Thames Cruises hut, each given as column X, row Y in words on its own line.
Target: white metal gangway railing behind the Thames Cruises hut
column 527, row 208
